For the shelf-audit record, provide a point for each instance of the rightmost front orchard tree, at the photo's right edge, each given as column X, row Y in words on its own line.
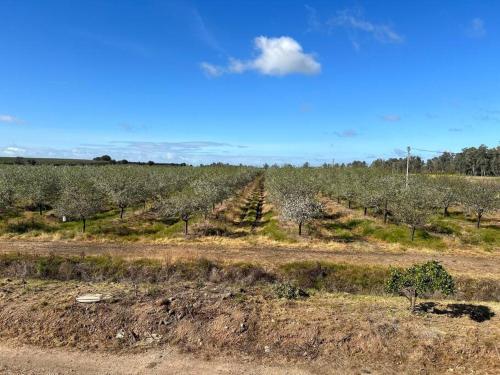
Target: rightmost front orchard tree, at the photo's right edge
column 480, row 197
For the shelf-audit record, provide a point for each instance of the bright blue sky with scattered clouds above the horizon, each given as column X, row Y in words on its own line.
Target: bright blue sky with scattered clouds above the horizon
column 247, row 81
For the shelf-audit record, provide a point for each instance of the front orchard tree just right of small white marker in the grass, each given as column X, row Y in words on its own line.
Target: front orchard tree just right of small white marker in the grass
column 80, row 197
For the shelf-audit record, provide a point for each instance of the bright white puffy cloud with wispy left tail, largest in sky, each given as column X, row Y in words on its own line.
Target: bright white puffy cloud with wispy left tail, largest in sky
column 277, row 57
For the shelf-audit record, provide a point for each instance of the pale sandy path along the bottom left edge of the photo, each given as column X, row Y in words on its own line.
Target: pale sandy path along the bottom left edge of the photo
column 28, row 360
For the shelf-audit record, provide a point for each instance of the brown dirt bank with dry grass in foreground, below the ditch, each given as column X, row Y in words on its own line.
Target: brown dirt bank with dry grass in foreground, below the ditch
column 326, row 333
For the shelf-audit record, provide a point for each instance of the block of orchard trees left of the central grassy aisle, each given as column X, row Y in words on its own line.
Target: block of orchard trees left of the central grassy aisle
column 79, row 193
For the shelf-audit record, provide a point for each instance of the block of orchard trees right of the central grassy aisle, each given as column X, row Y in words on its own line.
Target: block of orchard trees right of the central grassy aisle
column 296, row 192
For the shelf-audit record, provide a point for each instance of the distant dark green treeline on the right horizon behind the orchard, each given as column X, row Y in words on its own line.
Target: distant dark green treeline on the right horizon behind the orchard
column 472, row 161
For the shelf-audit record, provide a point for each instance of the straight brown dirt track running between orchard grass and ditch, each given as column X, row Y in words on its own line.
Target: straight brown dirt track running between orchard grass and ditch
column 465, row 264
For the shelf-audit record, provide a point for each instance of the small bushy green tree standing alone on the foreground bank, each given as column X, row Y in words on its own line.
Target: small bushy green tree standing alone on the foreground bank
column 420, row 279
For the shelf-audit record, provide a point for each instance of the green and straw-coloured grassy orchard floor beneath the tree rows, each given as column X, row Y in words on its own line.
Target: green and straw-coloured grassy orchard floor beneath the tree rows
column 249, row 219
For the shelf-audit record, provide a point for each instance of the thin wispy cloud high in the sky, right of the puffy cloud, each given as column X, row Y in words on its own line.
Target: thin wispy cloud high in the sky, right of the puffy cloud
column 353, row 21
